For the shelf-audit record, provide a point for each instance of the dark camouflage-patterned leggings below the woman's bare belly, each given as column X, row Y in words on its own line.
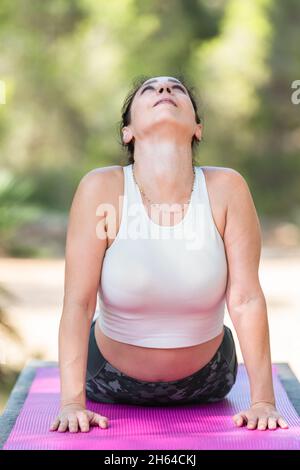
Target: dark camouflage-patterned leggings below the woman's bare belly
column 106, row 384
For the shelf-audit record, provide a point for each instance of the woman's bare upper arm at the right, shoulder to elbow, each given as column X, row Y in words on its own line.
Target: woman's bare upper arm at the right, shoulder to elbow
column 242, row 239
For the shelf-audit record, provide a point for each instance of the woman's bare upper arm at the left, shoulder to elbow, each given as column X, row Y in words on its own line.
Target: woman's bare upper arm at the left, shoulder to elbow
column 86, row 241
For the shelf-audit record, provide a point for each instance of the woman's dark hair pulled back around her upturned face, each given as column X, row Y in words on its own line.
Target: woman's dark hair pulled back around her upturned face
column 126, row 113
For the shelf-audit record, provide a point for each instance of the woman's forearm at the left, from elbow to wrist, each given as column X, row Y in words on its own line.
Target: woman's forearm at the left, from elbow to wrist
column 73, row 348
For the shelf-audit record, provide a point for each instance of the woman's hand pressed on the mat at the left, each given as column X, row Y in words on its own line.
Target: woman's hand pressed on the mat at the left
column 77, row 417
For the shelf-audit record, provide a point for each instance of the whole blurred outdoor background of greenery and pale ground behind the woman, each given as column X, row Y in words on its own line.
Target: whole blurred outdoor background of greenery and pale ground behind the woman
column 66, row 67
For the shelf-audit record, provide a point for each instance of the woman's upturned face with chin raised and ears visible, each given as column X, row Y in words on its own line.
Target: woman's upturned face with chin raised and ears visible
column 147, row 114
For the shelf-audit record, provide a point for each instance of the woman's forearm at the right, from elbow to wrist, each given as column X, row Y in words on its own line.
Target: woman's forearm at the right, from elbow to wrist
column 251, row 324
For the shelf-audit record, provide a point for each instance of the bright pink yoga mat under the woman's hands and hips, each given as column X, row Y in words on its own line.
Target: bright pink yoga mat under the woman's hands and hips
column 138, row 427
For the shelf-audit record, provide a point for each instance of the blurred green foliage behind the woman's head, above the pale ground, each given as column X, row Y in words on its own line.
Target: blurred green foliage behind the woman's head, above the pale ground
column 68, row 65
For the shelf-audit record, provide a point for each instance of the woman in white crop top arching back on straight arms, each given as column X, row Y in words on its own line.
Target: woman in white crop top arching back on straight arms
column 183, row 240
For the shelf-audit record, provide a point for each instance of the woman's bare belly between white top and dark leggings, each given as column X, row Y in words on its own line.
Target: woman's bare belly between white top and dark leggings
column 155, row 364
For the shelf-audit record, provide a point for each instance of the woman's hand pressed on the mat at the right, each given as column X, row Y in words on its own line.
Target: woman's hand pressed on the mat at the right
column 262, row 415
